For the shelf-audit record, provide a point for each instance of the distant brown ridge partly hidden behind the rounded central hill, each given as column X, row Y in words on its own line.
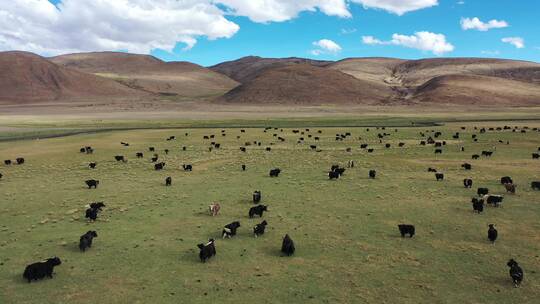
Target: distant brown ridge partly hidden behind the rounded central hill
column 247, row 68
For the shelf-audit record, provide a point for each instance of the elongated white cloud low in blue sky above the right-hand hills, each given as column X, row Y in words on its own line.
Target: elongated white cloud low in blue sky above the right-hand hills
column 424, row 41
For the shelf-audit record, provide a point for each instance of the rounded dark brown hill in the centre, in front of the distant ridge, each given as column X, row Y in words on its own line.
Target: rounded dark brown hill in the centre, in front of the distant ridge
column 306, row 84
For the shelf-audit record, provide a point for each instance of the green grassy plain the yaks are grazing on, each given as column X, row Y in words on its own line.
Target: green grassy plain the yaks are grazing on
column 348, row 246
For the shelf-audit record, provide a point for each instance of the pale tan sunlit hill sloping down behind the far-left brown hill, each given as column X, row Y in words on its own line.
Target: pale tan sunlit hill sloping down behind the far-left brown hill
column 150, row 74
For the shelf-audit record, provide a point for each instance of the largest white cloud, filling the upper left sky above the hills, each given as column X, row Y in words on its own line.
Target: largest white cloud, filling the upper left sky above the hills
column 134, row 25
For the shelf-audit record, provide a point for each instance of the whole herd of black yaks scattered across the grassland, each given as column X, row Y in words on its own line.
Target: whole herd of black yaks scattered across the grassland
column 45, row 268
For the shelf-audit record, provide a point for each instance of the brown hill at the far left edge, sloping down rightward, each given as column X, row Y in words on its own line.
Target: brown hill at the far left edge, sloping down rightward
column 29, row 77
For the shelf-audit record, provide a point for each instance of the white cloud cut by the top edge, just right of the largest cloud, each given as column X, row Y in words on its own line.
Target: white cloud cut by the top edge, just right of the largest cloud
column 283, row 10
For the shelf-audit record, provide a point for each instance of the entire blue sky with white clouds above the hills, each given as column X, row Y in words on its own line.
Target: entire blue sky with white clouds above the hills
column 208, row 32
